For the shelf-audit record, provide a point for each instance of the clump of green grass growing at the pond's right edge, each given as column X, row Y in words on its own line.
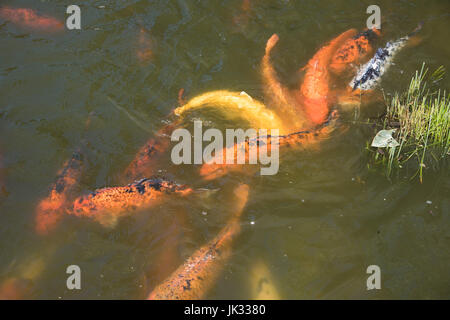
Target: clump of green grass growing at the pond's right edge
column 421, row 119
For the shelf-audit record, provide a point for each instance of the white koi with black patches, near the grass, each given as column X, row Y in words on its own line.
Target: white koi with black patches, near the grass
column 369, row 74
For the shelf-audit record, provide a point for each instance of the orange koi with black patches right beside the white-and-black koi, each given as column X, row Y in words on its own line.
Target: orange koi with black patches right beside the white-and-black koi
column 354, row 50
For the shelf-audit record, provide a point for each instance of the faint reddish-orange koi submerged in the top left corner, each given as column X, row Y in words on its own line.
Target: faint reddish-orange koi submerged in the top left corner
column 30, row 19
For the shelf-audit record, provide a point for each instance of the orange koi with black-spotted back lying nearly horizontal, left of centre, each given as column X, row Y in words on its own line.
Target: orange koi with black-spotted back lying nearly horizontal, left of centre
column 107, row 205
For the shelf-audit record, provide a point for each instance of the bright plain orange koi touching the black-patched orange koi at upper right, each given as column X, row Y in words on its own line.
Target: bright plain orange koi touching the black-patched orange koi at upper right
column 315, row 87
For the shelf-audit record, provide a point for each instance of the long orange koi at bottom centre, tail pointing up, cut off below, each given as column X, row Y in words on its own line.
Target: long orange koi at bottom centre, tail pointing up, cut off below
column 194, row 278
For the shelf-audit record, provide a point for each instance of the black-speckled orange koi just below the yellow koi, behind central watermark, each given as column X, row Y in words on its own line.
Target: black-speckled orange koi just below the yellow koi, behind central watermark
column 217, row 166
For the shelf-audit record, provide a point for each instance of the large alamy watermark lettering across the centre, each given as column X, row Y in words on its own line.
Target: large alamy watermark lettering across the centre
column 240, row 146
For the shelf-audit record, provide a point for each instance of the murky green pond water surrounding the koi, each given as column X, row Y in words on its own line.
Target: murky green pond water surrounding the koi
column 318, row 224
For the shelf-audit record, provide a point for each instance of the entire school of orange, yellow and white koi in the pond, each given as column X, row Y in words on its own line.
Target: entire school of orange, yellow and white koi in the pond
column 304, row 117
